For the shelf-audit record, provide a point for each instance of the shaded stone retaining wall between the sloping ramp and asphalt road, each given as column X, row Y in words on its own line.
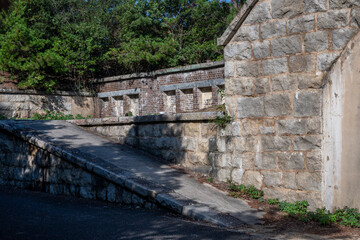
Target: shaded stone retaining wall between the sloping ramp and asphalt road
column 28, row 166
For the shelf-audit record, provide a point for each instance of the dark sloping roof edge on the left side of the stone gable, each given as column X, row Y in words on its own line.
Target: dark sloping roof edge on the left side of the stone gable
column 236, row 22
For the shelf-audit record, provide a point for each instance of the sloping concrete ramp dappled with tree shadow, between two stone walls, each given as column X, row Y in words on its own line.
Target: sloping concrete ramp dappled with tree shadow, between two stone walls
column 64, row 134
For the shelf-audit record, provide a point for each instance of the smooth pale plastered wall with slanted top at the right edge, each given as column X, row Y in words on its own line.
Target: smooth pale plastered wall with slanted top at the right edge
column 342, row 130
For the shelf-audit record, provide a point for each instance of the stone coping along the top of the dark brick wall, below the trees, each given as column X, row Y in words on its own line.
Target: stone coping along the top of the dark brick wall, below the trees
column 160, row 72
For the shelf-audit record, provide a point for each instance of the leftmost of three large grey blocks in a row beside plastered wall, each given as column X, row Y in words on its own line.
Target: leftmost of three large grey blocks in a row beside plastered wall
column 250, row 107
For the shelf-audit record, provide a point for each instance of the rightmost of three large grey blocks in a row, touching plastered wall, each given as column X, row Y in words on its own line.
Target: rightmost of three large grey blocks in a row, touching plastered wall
column 307, row 104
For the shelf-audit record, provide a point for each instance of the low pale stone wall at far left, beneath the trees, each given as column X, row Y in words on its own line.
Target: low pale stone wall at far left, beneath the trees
column 24, row 103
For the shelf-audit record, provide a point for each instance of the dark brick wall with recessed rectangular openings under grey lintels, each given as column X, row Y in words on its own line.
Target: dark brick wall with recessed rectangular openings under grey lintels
column 175, row 90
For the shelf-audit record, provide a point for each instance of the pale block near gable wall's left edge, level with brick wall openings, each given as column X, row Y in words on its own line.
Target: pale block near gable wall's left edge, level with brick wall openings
column 241, row 86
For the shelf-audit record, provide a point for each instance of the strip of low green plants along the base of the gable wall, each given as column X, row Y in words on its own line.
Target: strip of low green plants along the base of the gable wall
column 349, row 217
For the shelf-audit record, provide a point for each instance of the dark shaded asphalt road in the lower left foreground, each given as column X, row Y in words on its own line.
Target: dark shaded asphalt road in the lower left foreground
column 33, row 215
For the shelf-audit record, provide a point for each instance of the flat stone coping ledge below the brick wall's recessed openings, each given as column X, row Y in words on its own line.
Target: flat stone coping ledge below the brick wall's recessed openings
column 163, row 118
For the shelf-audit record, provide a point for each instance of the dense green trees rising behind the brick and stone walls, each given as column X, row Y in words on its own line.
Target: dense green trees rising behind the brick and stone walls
column 46, row 44
